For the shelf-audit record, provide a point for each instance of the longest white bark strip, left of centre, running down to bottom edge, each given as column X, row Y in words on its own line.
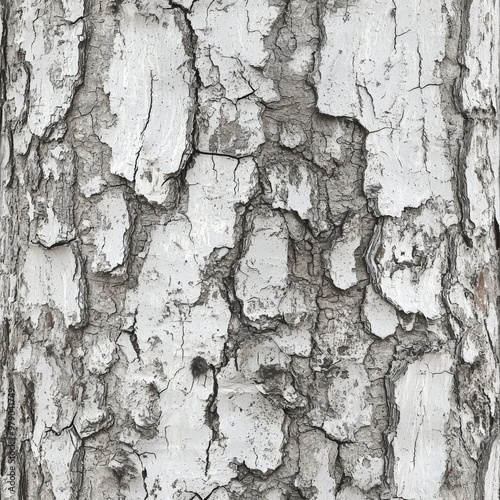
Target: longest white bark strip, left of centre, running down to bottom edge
column 171, row 332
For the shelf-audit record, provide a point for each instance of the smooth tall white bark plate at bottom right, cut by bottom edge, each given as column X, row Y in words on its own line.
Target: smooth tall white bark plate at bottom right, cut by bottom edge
column 423, row 397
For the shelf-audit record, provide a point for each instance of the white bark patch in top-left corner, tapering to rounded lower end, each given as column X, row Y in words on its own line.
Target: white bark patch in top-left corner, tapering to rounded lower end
column 50, row 38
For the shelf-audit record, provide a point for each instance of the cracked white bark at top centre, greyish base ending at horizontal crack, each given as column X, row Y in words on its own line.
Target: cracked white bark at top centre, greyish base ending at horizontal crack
column 230, row 70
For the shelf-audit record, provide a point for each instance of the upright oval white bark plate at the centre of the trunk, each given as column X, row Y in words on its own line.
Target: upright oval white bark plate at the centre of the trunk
column 261, row 277
